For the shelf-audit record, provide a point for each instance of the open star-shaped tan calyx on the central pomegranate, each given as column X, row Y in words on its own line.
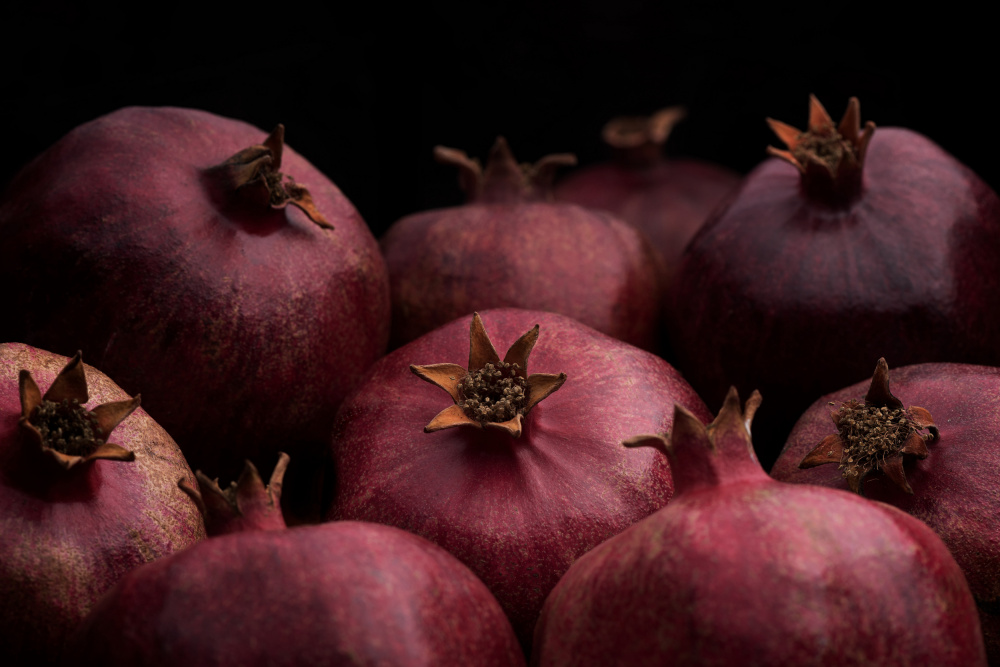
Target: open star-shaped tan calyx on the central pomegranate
column 491, row 393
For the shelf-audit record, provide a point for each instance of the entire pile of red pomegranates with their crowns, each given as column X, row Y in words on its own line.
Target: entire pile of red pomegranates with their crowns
column 499, row 415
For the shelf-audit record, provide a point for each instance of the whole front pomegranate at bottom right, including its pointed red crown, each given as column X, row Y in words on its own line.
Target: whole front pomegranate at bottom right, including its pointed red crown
column 742, row 570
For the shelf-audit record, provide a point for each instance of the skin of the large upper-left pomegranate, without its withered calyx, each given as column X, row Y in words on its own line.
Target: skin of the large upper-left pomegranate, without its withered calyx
column 242, row 330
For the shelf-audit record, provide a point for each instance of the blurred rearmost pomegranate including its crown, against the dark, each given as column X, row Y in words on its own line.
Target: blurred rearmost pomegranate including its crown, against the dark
column 668, row 199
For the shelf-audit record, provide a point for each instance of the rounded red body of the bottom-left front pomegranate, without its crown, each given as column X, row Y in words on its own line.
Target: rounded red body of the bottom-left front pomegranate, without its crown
column 343, row 593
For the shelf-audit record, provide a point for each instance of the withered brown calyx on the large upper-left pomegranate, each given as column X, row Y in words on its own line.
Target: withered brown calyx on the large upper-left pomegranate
column 253, row 173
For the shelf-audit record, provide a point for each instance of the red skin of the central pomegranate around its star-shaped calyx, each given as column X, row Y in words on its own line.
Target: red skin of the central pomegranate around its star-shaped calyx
column 519, row 511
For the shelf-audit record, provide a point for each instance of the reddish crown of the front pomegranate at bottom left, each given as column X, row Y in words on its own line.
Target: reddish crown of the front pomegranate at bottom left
column 244, row 504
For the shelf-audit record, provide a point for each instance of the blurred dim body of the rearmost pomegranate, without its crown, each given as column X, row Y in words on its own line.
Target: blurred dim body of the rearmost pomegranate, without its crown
column 668, row 200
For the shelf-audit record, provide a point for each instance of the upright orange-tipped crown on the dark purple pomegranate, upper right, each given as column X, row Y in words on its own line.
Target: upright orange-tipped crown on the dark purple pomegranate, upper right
column 831, row 158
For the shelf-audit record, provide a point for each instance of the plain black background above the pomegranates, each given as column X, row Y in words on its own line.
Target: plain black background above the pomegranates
column 366, row 96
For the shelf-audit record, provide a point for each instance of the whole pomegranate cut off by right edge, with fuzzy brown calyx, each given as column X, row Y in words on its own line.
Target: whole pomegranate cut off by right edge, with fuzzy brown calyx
column 938, row 462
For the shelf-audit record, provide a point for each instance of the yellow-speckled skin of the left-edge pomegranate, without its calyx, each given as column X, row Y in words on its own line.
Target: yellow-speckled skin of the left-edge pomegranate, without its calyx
column 68, row 536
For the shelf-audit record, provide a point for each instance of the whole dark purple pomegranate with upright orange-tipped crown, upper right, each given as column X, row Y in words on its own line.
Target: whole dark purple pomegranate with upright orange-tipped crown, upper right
column 853, row 243
